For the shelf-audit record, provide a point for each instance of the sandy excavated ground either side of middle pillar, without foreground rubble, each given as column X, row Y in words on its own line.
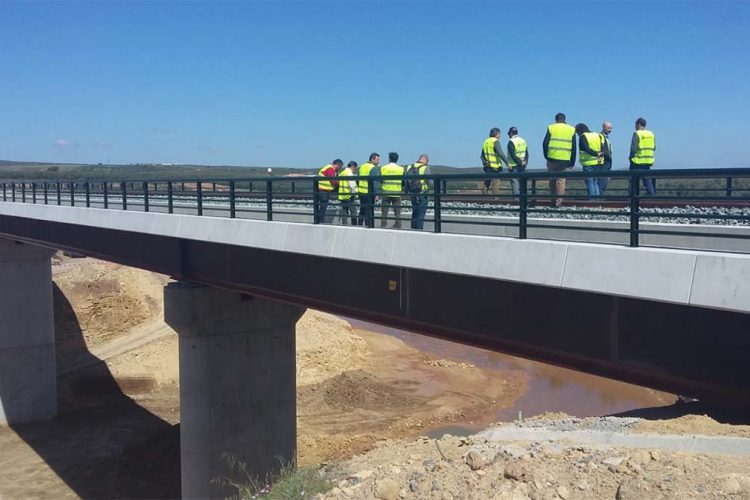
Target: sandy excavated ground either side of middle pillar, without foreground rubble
column 117, row 434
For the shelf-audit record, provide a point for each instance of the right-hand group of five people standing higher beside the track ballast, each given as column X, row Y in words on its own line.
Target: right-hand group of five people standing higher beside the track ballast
column 559, row 147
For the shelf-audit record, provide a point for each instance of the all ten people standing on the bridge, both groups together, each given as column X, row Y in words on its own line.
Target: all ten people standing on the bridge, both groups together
column 358, row 198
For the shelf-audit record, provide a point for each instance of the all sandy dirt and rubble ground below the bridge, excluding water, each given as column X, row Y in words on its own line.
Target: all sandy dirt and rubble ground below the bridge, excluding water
column 374, row 413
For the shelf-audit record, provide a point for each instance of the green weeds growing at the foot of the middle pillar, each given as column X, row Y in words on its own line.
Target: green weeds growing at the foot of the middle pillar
column 305, row 482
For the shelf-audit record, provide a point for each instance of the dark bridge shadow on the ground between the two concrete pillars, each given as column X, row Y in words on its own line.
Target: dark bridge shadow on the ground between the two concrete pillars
column 102, row 444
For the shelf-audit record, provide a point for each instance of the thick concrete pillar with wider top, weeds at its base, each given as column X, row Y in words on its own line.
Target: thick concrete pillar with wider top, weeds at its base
column 237, row 383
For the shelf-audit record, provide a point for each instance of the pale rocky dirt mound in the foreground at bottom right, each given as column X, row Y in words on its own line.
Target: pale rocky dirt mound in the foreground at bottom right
column 472, row 467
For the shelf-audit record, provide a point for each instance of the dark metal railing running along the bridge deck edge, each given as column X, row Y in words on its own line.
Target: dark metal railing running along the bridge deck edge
column 456, row 203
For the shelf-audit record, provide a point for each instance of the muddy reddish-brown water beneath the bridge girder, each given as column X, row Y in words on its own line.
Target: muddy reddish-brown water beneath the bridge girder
column 551, row 389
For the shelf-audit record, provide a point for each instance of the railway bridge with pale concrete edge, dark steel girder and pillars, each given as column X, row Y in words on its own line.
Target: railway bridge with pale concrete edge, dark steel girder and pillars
column 674, row 319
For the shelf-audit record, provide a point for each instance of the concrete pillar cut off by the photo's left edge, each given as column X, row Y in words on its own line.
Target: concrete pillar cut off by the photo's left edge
column 28, row 377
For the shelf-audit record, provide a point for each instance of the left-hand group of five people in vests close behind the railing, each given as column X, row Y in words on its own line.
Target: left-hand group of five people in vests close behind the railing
column 358, row 198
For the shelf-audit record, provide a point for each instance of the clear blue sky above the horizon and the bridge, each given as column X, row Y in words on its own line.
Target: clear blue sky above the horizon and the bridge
column 300, row 83
